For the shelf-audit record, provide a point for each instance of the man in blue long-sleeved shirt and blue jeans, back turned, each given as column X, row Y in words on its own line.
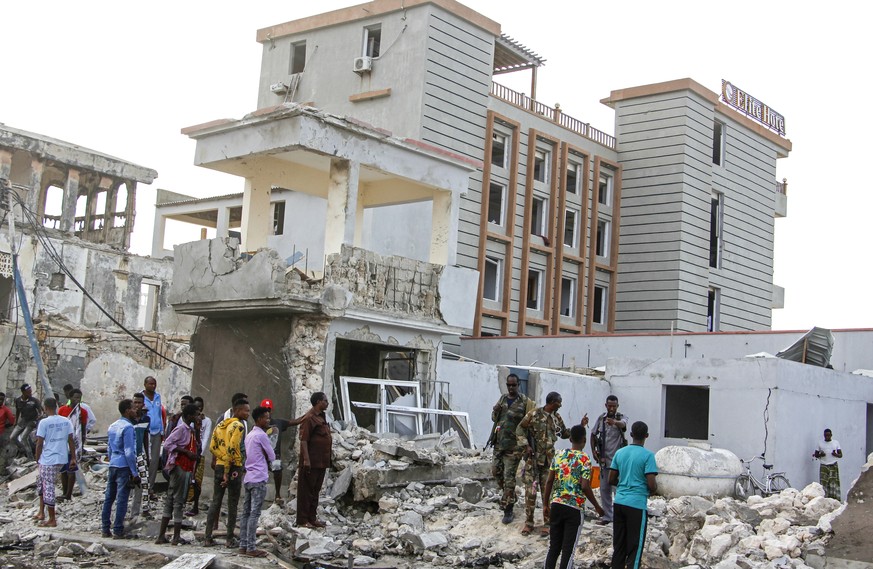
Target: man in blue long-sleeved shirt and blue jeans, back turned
column 122, row 468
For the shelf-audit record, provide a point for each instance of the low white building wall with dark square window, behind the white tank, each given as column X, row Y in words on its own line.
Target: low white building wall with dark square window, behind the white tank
column 756, row 404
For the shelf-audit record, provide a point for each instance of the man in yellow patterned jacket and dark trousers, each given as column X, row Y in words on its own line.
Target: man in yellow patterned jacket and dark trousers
column 228, row 457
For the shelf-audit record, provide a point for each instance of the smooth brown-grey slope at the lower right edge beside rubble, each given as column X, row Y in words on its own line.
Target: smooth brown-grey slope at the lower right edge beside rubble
column 853, row 528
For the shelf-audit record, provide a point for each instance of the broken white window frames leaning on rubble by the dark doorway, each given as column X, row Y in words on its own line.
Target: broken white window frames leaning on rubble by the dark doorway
column 384, row 409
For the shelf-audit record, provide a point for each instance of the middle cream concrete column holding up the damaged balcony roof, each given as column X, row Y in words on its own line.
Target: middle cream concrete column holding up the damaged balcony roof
column 342, row 205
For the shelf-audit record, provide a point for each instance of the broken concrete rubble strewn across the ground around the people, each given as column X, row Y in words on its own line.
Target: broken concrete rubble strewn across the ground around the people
column 391, row 502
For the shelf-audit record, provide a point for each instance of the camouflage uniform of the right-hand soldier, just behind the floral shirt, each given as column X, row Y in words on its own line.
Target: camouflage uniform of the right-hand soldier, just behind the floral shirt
column 544, row 429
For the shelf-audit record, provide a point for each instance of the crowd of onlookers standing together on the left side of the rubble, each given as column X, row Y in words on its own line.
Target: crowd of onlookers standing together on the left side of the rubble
column 146, row 439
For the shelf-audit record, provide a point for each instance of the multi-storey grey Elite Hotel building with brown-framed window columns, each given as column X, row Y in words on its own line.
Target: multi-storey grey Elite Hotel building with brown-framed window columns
column 559, row 234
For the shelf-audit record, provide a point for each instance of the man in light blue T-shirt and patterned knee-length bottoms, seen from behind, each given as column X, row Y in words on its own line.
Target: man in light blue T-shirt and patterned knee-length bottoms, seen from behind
column 54, row 449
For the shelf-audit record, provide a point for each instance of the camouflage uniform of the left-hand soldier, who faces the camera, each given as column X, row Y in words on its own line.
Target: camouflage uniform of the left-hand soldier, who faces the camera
column 507, row 454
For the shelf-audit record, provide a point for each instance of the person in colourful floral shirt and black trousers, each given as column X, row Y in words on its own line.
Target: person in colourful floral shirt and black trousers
column 568, row 485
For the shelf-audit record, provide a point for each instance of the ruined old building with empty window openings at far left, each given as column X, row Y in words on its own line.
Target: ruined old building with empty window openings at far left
column 74, row 213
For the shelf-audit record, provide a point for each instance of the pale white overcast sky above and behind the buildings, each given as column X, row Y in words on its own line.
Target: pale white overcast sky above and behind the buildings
column 123, row 78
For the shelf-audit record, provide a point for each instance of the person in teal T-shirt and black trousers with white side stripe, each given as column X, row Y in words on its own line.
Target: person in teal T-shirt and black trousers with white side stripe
column 632, row 472
